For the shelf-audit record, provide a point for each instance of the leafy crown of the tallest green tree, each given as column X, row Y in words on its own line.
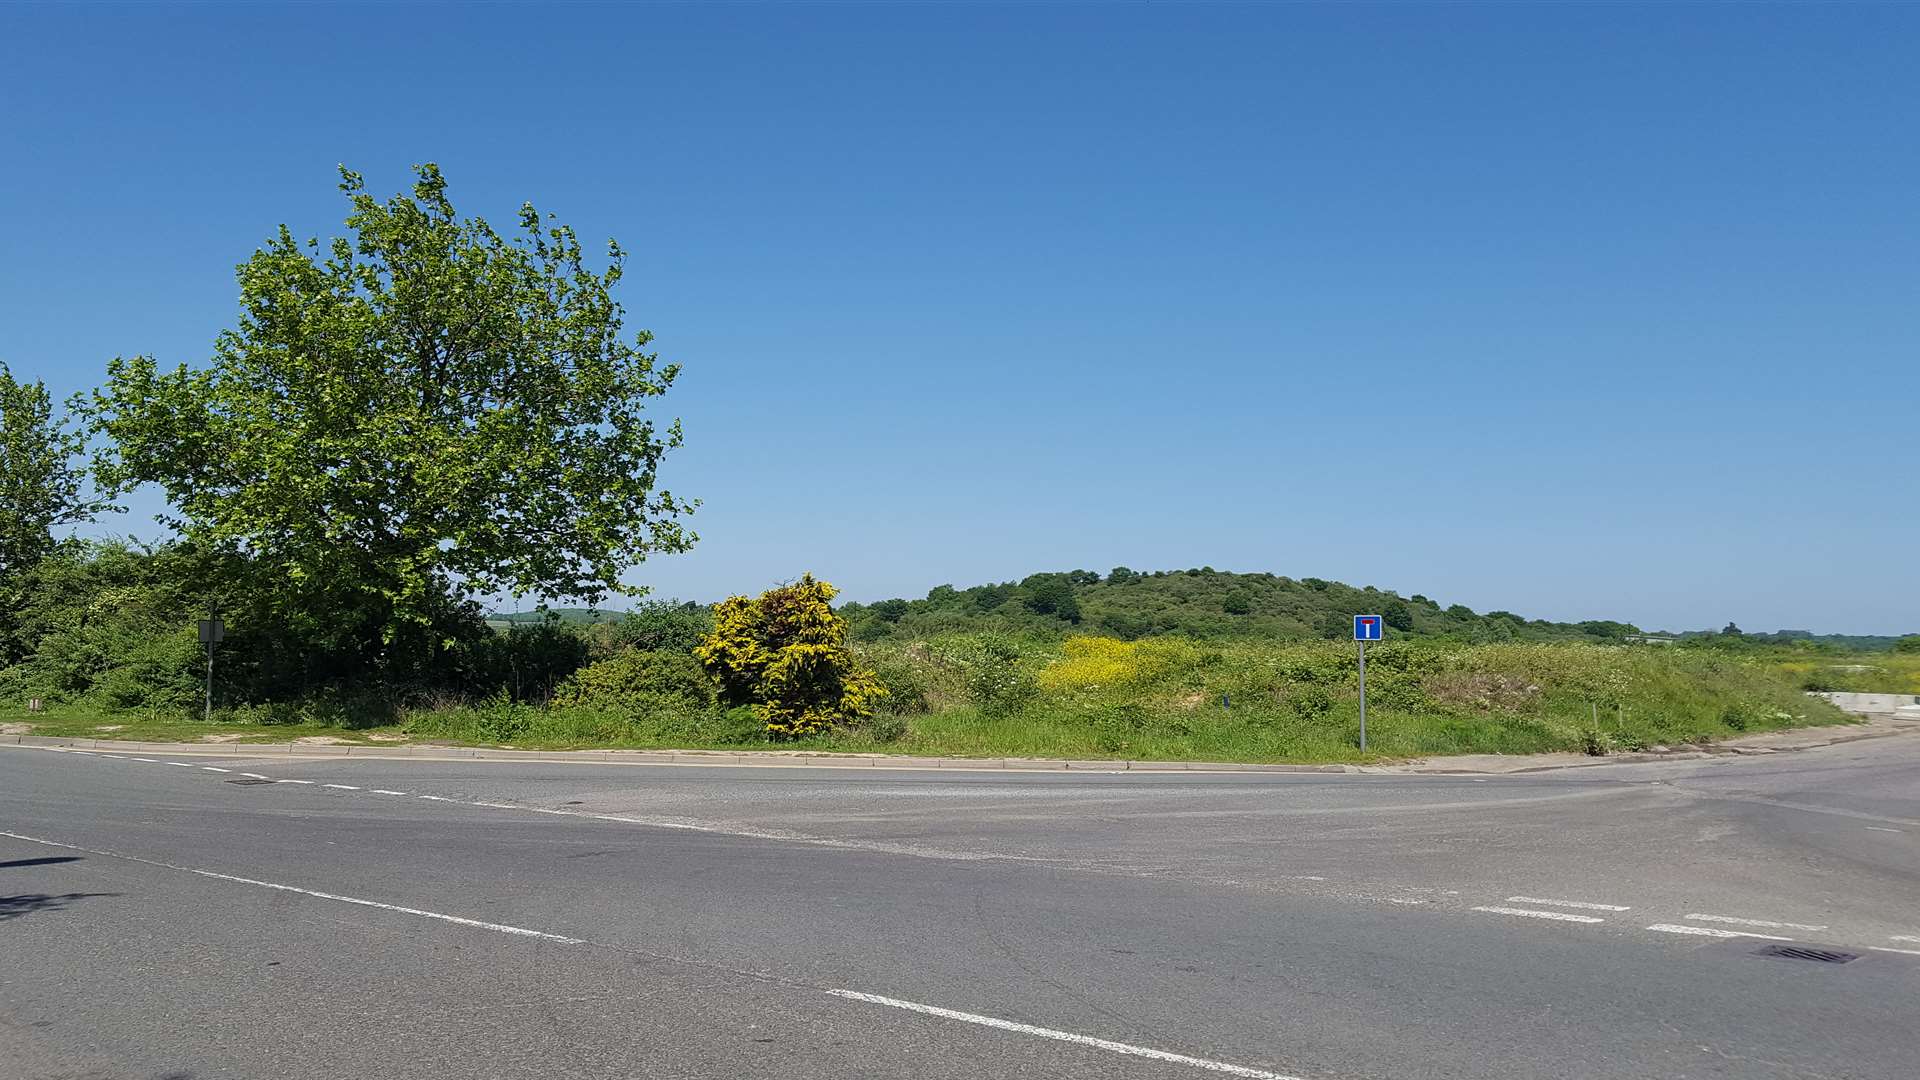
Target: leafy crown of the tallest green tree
column 420, row 414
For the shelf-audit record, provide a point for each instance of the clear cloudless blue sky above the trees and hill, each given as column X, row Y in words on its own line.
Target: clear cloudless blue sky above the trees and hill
column 1577, row 312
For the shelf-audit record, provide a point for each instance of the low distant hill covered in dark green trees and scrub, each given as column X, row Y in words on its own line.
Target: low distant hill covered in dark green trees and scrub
column 1201, row 602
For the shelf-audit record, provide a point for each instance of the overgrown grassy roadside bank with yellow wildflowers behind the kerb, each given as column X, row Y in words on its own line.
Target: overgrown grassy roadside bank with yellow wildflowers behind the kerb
column 1159, row 699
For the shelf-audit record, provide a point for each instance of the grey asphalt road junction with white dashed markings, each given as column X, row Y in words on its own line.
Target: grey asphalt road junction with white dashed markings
column 180, row 920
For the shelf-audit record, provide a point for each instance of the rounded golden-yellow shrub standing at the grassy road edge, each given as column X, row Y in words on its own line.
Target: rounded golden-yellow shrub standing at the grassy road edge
column 786, row 654
